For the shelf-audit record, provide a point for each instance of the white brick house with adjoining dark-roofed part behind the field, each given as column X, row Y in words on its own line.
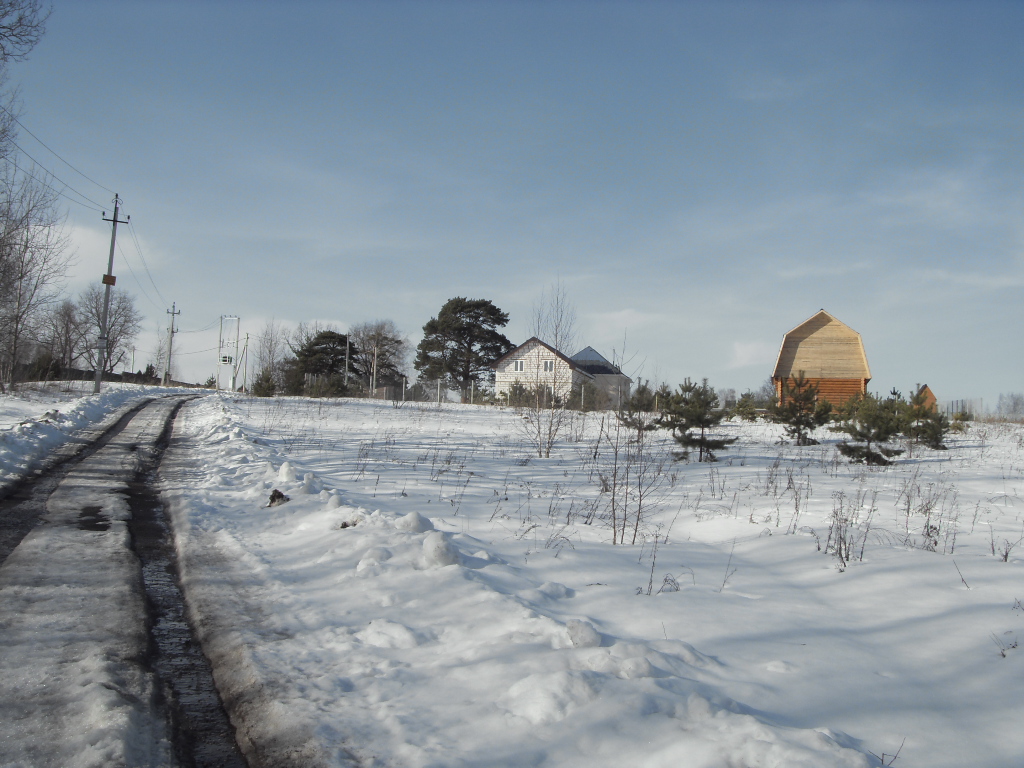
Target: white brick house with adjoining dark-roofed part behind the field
column 535, row 364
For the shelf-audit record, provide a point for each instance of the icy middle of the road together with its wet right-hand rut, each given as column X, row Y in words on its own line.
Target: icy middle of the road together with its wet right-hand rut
column 82, row 679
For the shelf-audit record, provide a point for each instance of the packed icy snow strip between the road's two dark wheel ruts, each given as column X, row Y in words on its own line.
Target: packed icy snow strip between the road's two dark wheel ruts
column 74, row 689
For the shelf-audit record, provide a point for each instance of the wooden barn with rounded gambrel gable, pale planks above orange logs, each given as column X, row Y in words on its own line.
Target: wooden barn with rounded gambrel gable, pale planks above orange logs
column 831, row 356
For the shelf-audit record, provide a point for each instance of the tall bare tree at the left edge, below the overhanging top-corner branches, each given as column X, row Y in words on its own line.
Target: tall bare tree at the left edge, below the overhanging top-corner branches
column 34, row 260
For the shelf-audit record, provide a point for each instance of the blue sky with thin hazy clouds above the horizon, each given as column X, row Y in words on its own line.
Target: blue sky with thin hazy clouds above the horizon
column 701, row 177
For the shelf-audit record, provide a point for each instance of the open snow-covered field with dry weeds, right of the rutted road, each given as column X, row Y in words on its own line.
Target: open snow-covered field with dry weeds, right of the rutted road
column 436, row 595
